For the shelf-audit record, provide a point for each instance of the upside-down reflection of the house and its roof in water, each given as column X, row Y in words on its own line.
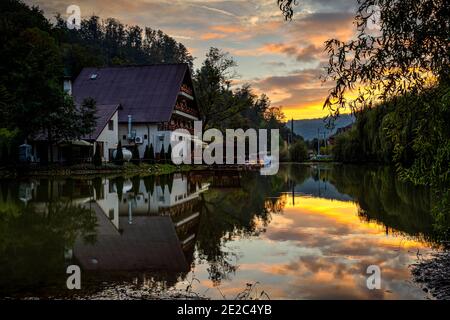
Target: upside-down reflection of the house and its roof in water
column 149, row 226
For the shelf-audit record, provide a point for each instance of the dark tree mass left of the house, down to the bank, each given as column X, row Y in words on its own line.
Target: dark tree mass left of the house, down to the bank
column 31, row 81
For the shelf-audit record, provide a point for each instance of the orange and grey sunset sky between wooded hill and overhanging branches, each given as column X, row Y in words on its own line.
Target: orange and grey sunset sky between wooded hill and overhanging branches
column 282, row 59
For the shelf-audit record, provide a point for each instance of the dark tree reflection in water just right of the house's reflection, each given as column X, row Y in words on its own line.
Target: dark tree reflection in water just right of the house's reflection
column 234, row 212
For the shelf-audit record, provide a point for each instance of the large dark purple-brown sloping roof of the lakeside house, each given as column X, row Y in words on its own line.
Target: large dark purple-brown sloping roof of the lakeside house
column 148, row 93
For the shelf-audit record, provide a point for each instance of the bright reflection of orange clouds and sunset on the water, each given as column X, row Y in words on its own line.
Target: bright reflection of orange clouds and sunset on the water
column 320, row 249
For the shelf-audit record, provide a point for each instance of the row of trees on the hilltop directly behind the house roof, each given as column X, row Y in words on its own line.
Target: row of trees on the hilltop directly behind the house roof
column 109, row 42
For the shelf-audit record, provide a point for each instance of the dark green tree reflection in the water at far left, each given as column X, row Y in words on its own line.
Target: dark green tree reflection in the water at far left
column 33, row 239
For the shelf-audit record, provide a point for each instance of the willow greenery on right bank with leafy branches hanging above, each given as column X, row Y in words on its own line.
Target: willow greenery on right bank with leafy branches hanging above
column 401, row 93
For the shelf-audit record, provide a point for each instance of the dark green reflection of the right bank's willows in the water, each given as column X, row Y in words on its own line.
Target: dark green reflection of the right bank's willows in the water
column 384, row 198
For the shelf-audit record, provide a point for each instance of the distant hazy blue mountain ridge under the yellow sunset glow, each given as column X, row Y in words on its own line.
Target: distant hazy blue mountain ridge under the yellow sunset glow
column 308, row 128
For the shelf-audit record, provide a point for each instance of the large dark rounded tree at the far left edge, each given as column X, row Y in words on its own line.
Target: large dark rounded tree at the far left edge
column 32, row 78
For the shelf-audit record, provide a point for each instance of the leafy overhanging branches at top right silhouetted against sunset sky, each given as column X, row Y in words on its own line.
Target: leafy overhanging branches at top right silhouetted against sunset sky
column 406, row 51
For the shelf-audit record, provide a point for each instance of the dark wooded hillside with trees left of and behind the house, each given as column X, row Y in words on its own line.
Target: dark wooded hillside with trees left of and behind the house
column 36, row 54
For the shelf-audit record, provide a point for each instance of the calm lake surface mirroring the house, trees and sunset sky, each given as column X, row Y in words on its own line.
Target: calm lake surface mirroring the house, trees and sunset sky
column 310, row 232
